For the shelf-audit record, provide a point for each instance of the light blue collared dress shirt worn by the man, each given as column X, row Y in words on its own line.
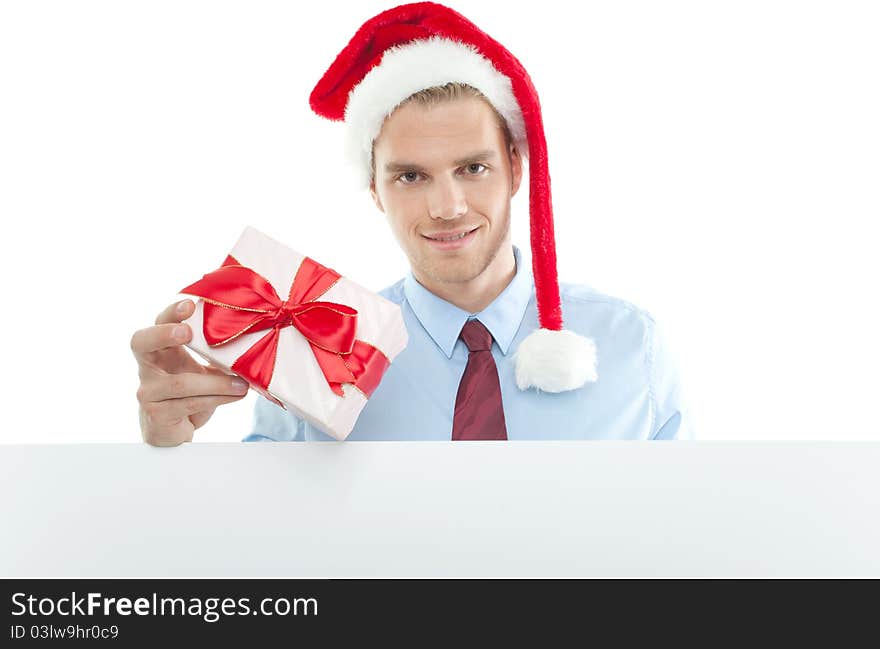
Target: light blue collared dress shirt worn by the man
column 637, row 394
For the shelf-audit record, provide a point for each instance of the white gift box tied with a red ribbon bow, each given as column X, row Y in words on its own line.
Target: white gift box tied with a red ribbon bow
column 311, row 341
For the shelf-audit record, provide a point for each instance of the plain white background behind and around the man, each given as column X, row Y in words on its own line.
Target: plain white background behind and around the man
column 714, row 163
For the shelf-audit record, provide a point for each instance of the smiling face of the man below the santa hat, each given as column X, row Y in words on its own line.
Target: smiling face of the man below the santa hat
column 441, row 171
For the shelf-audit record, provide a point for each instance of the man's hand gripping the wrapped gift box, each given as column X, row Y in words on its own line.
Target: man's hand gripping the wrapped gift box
column 177, row 394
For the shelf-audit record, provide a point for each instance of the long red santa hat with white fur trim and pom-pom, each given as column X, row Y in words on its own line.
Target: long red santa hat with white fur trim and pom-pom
column 421, row 45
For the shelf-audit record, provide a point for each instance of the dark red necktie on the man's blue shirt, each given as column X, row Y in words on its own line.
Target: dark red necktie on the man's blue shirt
column 478, row 410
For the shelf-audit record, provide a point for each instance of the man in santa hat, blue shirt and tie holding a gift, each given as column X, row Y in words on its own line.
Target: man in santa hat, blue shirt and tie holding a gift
column 439, row 117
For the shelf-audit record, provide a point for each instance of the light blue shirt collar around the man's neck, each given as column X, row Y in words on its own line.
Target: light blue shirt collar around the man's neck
column 443, row 320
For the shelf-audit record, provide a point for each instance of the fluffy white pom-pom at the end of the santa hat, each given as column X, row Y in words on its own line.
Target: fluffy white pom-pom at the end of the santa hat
column 555, row 361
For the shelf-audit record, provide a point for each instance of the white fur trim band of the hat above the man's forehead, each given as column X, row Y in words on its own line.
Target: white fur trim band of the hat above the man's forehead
column 407, row 69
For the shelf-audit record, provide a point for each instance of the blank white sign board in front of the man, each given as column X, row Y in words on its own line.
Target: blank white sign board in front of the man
column 441, row 509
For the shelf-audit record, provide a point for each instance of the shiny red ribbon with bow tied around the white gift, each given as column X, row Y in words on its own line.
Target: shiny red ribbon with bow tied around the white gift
column 239, row 300
